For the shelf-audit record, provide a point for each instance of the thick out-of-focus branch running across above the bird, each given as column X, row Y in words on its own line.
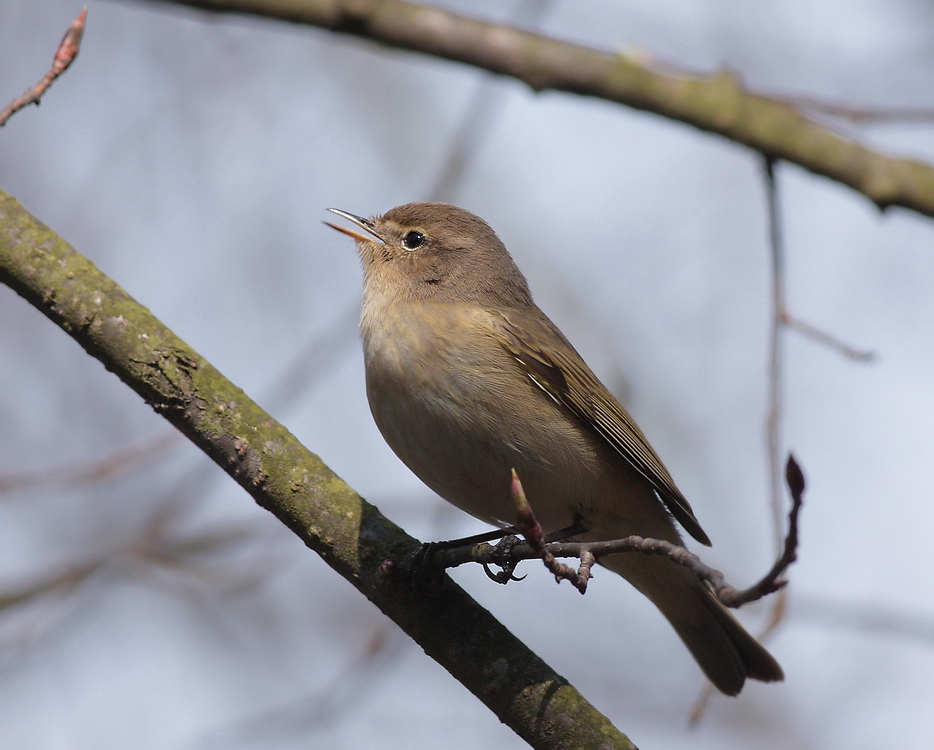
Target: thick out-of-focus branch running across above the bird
column 716, row 104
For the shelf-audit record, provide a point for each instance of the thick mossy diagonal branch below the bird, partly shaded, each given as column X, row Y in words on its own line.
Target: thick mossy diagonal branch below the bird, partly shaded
column 294, row 485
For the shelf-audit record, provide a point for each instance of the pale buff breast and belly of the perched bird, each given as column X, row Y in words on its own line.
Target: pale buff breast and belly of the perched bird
column 460, row 413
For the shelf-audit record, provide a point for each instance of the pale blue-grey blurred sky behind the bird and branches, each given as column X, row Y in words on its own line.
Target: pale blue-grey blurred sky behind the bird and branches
column 191, row 156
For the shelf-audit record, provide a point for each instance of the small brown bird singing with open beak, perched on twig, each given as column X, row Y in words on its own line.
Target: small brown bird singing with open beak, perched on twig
column 468, row 379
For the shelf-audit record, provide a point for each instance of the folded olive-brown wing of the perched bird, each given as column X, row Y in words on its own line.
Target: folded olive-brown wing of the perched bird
column 562, row 374
